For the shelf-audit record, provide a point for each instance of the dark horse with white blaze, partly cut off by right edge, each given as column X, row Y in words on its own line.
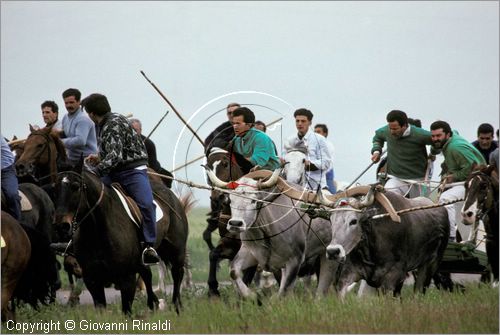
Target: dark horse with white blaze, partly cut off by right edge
column 481, row 203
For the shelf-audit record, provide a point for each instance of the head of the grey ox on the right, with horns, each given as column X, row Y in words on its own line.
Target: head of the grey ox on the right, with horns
column 346, row 221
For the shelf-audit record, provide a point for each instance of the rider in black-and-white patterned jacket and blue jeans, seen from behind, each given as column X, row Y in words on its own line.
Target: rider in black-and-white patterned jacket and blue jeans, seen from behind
column 123, row 159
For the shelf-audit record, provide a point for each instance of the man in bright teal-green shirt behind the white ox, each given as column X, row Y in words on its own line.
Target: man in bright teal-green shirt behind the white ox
column 254, row 146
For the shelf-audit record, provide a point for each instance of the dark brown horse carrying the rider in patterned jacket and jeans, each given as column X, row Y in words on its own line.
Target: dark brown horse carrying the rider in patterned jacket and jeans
column 106, row 241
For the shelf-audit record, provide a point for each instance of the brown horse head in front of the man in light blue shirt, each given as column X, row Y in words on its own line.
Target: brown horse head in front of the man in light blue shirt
column 39, row 156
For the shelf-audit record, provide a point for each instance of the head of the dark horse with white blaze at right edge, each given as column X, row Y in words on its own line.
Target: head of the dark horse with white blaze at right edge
column 479, row 195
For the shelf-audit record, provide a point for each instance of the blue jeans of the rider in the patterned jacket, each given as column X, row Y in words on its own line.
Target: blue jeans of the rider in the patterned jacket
column 136, row 184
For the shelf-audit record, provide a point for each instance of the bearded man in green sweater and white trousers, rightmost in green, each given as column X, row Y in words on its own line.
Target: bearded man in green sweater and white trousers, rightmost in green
column 459, row 158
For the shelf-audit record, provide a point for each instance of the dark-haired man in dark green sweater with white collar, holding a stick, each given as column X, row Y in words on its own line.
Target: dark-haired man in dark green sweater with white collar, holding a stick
column 406, row 152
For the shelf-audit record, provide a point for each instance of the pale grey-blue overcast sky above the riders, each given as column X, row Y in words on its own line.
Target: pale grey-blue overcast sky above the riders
column 349, row 62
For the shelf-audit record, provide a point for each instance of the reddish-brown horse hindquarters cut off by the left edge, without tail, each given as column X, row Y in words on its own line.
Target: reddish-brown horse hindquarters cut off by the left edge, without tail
column 15, row 256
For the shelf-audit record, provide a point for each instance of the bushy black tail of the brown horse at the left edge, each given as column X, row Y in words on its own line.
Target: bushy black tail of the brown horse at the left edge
column 40, row 274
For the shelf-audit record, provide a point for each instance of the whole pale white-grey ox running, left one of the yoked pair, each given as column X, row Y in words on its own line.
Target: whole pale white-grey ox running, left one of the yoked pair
column 274, row 234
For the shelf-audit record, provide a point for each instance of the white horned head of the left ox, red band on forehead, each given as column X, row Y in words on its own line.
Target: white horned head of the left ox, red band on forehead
column 245, row 199
